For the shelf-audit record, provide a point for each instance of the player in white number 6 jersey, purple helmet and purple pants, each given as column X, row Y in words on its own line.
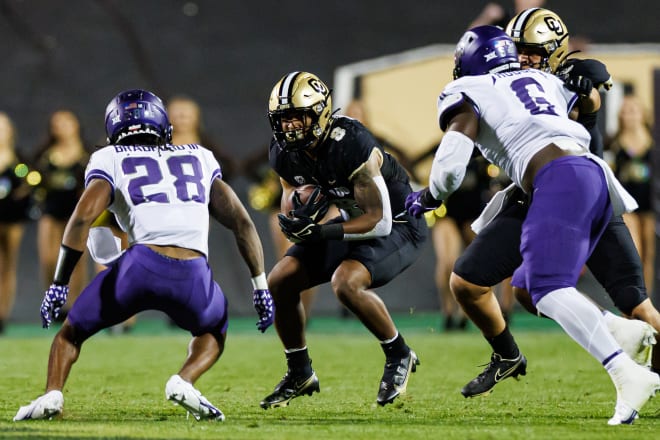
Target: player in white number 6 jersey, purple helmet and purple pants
column 518, row 118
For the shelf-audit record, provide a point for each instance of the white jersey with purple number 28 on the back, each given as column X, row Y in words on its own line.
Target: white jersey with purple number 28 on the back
column 160, row 195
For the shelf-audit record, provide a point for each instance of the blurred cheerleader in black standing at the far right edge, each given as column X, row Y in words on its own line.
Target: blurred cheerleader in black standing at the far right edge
column 630, row 151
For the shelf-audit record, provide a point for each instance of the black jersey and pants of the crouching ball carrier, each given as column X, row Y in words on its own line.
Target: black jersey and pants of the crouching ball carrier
column 346, row 148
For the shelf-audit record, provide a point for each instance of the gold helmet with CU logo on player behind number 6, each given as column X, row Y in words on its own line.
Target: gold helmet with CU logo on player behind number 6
column 543, row 30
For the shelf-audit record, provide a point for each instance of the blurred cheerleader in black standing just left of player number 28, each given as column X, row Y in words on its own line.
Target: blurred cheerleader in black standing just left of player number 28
column 61, row 160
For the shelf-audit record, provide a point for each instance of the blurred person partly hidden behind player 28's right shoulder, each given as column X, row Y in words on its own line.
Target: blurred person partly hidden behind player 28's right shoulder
column 187, row 121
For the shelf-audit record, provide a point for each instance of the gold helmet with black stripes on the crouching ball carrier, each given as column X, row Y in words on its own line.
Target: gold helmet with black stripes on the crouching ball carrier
column 302, row 95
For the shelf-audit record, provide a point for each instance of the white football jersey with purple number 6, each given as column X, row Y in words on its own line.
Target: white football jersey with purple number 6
column 520, row 112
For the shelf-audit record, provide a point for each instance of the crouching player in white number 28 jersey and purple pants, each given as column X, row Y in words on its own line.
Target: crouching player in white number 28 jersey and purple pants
column 162, row 195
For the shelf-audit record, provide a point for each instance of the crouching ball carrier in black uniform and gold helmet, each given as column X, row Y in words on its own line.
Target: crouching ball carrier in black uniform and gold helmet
column 371, row 243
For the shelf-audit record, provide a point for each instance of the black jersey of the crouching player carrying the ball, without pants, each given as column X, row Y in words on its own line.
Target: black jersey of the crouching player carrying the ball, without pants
column 347, row 146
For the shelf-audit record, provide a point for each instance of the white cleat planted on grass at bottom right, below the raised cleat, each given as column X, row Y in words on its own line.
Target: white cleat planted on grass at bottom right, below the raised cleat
column 635, row 385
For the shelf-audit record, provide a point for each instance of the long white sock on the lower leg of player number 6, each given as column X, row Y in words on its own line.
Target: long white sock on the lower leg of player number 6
column 582, row 321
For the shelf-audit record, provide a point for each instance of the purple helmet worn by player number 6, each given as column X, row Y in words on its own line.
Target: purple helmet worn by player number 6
column 484, row 49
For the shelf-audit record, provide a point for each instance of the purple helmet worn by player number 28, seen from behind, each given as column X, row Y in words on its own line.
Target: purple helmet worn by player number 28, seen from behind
column 135, row 112
